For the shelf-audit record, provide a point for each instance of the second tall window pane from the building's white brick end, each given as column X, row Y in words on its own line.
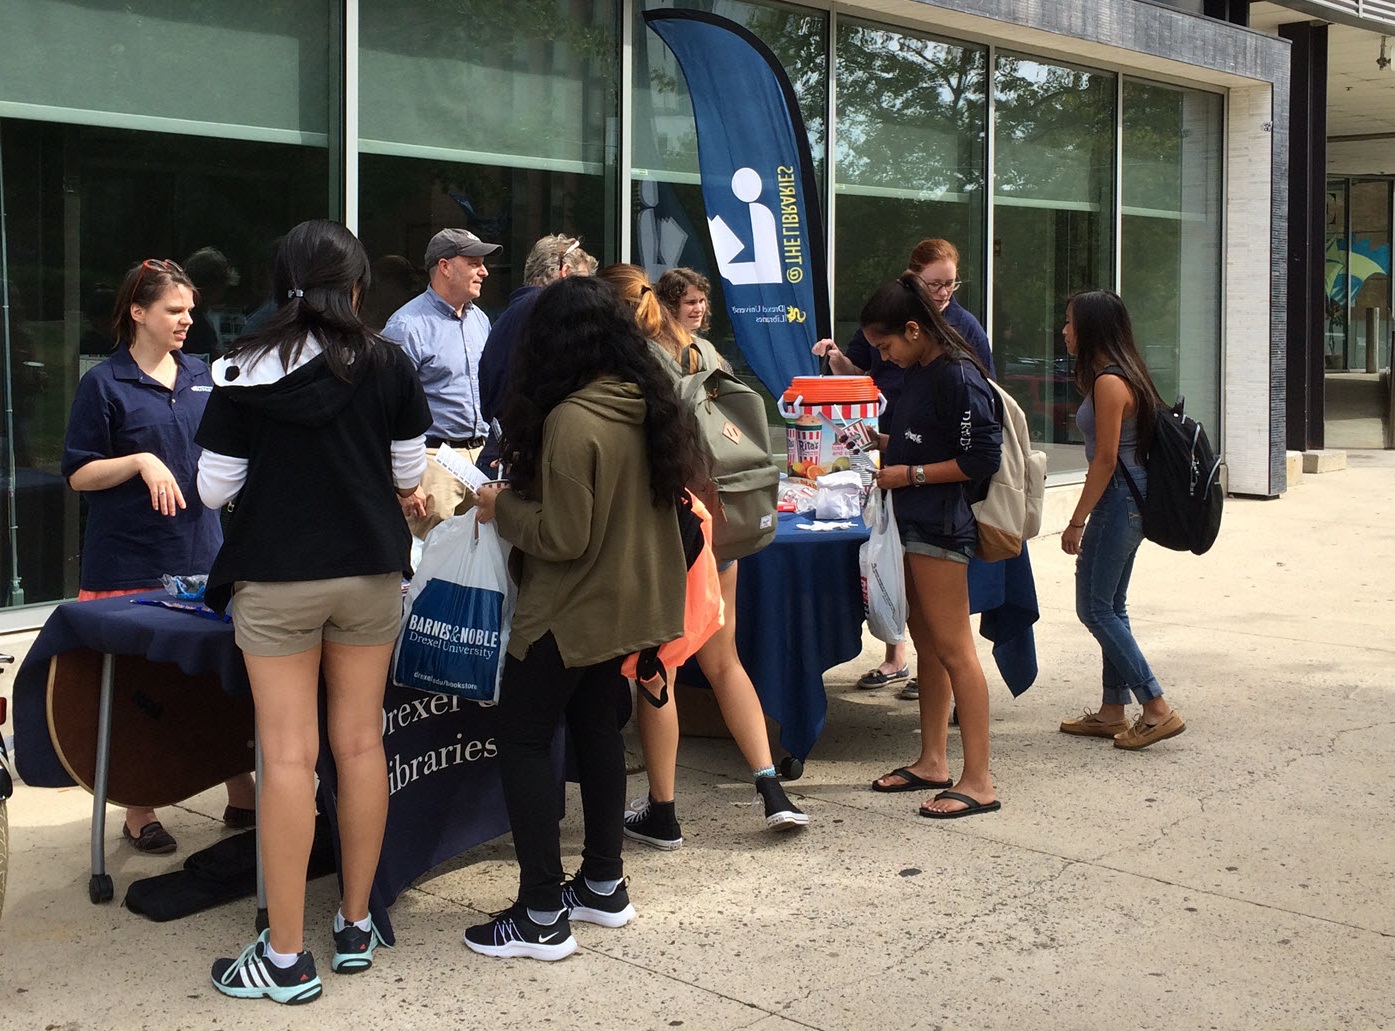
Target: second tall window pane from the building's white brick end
column 1054, row 195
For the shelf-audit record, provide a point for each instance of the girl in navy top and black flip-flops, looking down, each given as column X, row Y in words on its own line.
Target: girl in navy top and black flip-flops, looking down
column 944, row 439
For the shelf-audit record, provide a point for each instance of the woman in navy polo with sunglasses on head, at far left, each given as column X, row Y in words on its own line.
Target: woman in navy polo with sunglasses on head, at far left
column 130, row 451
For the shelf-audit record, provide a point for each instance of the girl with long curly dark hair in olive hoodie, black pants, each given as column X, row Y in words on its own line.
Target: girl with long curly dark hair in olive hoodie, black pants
column 599, row 451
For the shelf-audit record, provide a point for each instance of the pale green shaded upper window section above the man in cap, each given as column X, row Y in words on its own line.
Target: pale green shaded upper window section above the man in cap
column 461, row 80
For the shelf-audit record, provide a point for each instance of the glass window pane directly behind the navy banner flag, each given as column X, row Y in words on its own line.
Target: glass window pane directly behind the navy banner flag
column 670, row 227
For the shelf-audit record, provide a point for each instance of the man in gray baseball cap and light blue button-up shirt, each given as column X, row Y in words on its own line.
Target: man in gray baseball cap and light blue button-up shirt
column 444, row 334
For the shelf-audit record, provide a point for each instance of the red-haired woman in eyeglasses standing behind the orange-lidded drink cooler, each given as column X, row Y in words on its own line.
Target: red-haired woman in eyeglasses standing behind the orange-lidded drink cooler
column 937, row 263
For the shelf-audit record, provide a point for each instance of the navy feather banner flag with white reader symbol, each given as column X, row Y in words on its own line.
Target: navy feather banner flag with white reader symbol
column 760, row 192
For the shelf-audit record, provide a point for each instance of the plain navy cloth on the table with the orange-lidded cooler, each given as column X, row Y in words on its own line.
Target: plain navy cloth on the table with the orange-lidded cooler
column 800, row 613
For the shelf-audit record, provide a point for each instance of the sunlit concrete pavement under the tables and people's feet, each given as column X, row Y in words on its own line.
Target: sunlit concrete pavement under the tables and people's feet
column 1238, row 877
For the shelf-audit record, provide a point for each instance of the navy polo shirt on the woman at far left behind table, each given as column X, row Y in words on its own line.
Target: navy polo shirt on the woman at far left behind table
column 119, row 411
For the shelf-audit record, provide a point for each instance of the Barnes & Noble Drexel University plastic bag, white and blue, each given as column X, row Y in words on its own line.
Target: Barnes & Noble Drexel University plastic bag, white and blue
column 455, row 623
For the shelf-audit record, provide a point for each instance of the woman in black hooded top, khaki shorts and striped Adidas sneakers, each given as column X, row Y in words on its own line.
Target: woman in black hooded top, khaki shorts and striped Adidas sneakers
column 317, row 430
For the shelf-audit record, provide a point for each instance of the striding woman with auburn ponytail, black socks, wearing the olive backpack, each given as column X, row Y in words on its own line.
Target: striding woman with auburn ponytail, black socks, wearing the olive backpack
column 654, row 820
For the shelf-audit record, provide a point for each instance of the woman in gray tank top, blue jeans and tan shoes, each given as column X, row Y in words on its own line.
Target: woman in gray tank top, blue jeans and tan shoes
column 1106, row 529
